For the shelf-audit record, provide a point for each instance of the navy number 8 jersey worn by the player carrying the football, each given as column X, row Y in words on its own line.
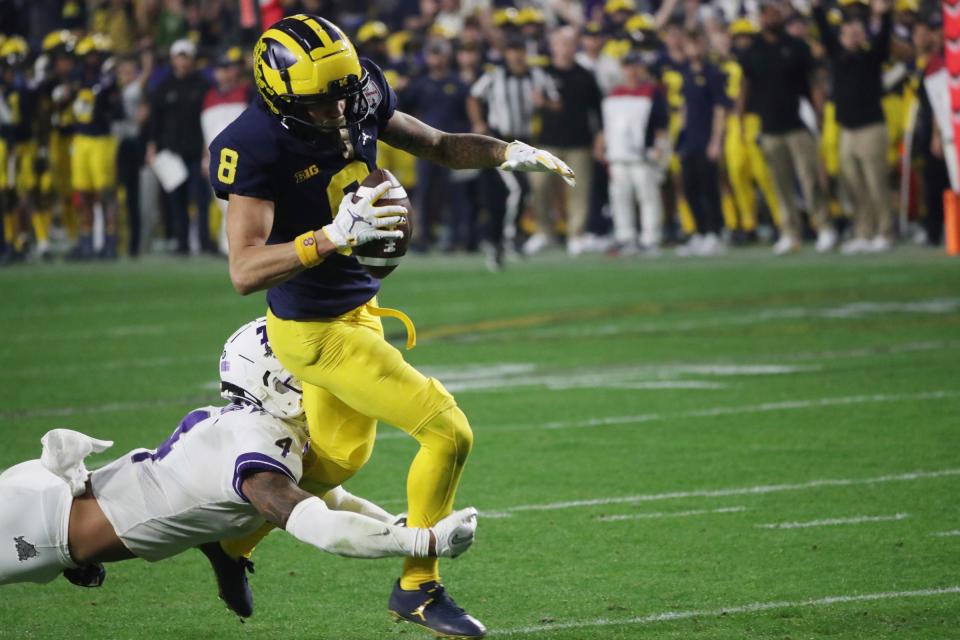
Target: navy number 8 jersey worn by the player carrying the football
column 256, row 156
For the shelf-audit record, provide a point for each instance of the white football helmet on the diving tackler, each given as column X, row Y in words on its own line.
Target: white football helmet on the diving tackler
column 250, row 372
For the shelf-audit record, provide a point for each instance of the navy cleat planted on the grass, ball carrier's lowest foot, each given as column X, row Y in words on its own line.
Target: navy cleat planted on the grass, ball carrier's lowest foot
column 431, row 607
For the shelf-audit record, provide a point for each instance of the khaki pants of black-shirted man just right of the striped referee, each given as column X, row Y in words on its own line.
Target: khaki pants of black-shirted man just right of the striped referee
column 544, row 185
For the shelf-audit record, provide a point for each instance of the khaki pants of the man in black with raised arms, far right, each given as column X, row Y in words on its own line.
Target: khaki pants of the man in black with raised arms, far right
column 863, row 170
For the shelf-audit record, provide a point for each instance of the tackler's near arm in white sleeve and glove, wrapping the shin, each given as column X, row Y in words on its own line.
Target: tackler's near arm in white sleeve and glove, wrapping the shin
column 307, row 518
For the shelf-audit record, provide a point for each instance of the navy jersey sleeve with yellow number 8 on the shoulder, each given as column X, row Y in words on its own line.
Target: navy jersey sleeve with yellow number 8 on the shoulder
column 240, row 164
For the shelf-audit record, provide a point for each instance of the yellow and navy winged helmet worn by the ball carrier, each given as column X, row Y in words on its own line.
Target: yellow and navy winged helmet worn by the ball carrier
column 304, row 60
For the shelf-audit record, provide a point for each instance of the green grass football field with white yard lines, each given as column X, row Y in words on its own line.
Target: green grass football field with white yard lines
column 658, row 445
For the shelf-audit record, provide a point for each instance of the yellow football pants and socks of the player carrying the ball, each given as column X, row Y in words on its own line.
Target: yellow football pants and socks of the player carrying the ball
column 352, row 378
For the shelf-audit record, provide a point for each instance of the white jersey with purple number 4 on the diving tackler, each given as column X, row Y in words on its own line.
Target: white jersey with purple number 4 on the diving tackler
column 188, row 491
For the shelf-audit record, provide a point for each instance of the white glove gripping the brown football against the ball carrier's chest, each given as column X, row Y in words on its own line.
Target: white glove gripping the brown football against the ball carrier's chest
column 361, row 222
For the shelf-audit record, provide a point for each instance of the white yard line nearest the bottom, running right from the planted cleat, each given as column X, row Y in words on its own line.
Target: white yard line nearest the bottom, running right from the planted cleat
column 756, row 607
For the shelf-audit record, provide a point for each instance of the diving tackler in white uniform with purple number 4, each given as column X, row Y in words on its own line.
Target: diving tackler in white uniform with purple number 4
column 222, row 473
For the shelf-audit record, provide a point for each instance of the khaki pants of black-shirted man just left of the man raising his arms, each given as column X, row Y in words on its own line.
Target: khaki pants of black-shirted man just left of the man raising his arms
column 795, row 154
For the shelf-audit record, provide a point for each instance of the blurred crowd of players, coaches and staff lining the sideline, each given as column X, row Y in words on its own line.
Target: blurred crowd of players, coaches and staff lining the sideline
column 692, row 125
